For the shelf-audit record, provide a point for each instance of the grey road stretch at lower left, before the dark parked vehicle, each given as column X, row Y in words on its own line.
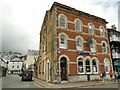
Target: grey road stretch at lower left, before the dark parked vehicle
column 14, row 81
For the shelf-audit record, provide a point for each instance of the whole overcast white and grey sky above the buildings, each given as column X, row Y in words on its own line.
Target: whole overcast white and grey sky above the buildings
column 21, row 20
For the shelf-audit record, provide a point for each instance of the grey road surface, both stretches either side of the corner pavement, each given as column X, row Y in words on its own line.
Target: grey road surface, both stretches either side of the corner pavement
column 14, row 81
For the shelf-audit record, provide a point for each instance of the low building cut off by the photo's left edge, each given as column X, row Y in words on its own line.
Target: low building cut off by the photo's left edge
column 3, row 67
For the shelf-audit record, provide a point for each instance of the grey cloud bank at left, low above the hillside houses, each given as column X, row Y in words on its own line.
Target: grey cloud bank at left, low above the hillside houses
column 13, row 39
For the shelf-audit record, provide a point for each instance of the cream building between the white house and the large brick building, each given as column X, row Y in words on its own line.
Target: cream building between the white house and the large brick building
column 32, row 56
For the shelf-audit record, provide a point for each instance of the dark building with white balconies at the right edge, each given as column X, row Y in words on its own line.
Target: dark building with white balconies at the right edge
column 114, row 39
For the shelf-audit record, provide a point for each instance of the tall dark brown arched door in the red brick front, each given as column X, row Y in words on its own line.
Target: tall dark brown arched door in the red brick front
column 63, row 66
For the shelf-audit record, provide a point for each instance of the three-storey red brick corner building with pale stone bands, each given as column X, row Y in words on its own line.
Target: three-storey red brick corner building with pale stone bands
column 74, row 46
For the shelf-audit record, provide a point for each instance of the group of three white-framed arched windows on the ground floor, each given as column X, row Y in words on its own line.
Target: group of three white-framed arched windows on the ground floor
column 87, row 66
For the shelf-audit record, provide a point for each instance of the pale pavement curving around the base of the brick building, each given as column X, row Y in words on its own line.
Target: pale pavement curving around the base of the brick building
column 81, row 84
